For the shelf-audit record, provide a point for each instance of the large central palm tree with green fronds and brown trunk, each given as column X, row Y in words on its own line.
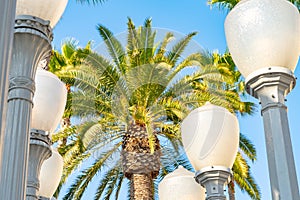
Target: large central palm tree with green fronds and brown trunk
column 133, row 104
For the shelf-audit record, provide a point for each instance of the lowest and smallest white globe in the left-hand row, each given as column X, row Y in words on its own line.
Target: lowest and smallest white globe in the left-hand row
column 50, row 175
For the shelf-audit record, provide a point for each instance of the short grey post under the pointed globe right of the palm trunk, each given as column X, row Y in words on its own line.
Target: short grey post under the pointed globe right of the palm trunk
column 213, row 179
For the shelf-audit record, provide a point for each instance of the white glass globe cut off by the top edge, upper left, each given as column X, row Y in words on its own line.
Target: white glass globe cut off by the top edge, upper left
column 50, row 10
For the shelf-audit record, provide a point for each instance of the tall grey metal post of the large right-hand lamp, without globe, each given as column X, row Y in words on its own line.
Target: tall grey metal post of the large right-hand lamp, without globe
column 270, row 86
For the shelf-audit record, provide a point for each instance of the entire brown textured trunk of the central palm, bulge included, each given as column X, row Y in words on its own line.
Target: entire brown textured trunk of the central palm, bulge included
column 140, row 165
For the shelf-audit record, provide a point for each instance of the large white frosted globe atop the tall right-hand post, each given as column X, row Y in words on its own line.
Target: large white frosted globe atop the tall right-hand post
column 262, row 34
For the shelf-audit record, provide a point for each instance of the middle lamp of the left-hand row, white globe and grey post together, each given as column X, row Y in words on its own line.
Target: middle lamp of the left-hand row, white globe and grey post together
column 49, row 103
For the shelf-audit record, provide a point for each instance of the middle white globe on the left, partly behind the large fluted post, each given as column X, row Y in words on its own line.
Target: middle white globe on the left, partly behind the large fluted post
column 49, row 101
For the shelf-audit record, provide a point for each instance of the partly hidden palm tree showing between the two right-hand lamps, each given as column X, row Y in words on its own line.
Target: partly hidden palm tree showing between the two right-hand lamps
column 235, row 86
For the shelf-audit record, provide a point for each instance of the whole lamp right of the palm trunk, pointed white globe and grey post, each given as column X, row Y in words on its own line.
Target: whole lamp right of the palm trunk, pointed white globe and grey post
column 210, row 136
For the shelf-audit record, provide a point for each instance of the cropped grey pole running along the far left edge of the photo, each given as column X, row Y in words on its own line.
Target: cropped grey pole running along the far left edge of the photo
column 7, row 16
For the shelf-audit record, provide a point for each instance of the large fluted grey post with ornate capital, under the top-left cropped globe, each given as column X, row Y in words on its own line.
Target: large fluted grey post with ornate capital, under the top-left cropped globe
column 31, row 44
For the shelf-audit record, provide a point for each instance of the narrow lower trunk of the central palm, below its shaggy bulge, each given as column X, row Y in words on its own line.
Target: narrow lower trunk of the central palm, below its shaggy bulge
column 141, row 187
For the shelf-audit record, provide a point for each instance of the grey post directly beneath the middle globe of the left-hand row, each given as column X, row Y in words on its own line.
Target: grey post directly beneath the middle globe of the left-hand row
column 39, row 151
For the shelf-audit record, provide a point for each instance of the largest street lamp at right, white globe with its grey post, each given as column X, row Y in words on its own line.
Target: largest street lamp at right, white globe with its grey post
column 263, row 38
